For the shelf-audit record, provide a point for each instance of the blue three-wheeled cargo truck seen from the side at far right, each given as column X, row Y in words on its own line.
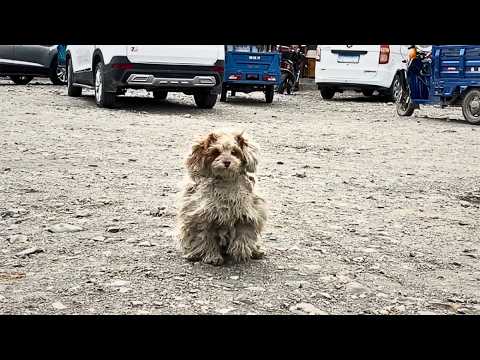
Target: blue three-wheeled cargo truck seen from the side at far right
column 449, row 75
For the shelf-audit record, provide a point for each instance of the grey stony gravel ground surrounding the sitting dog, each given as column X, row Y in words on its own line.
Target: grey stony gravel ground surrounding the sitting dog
column 369, row 213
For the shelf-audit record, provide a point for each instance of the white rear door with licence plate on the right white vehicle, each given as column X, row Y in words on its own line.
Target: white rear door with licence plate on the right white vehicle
column 350, row 62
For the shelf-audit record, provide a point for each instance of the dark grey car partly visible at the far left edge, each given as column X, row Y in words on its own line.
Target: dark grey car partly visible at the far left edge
column 24, row 62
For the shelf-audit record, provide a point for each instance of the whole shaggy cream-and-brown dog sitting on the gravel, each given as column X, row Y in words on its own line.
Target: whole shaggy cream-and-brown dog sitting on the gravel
column 219, row 212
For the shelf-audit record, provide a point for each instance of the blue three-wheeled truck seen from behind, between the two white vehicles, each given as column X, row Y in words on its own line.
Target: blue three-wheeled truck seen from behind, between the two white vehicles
column 251, row 68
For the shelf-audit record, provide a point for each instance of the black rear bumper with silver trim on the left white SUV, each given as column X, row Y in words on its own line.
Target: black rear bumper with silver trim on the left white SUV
column 182, row 78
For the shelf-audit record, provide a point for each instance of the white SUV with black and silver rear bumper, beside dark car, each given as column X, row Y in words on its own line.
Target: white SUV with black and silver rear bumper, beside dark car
column 111, row 69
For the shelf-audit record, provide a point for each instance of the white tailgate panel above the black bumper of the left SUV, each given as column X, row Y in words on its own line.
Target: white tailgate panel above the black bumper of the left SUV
column 175, row 54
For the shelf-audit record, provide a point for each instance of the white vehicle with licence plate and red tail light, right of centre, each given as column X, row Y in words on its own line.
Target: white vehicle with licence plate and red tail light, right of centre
column 364, row 68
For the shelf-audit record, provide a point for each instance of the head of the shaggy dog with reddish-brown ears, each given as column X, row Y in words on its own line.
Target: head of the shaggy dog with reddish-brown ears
column 222, row 154
